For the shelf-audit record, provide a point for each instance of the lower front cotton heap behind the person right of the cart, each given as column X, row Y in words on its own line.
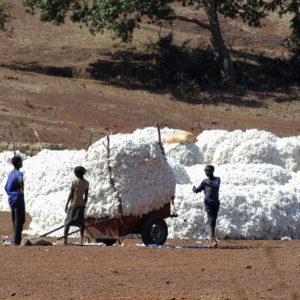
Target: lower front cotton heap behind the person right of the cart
column 257, row 201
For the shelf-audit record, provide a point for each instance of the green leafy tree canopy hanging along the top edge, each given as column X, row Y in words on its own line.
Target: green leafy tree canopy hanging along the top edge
column 124, row 16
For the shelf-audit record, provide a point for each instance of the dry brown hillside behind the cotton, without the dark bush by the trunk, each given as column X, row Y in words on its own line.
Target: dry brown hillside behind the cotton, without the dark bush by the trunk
column 65, row 81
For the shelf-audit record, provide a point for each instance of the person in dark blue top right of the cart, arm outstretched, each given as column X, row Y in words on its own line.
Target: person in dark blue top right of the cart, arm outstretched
column 211, row 187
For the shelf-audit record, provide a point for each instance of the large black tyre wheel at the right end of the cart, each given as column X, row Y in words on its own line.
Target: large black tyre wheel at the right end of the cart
column 154, row 231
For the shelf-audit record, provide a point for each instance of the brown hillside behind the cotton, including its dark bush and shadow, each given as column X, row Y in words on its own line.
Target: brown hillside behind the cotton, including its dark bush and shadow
column 130, row 85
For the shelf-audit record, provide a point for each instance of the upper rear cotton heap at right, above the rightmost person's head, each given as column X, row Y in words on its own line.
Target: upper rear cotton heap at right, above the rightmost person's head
column 250, row 146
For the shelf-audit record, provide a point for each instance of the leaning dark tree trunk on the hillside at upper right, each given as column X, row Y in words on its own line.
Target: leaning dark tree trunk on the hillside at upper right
column 219, row 44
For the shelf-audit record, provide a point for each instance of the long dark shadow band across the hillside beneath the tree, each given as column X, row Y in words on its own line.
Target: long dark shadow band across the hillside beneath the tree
column 185, row 73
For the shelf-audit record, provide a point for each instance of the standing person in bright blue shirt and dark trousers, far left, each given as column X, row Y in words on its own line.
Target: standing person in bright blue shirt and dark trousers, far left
column 15, row 190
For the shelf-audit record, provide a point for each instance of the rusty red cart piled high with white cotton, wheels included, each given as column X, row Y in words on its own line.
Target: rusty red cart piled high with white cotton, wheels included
column 142, row 186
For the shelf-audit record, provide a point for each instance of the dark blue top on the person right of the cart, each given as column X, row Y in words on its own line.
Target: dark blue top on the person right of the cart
column 211, row 190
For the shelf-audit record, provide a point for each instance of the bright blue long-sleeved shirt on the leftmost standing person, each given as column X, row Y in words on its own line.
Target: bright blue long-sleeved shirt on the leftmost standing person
column 14, row 186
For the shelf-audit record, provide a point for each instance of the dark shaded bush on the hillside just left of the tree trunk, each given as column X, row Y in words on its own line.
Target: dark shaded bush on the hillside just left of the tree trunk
column 182, row 69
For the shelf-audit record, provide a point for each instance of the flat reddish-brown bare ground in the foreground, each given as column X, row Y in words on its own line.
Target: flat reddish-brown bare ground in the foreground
column 237, row 270
